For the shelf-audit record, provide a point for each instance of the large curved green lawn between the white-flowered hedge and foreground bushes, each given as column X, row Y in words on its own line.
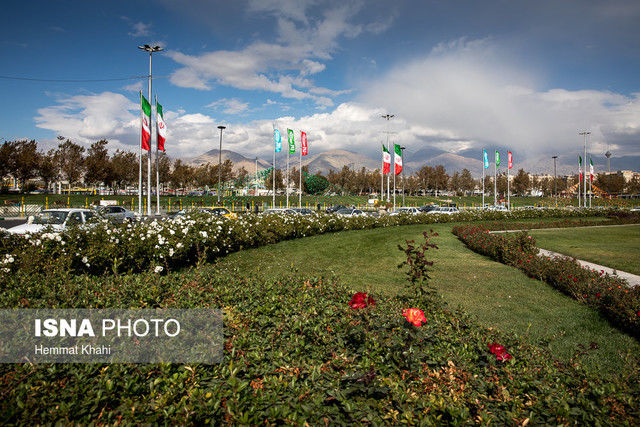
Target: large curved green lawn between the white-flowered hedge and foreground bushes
column 497, row 295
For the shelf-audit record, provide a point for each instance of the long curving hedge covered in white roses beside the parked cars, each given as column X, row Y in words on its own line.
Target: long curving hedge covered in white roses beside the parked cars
column 163, row 245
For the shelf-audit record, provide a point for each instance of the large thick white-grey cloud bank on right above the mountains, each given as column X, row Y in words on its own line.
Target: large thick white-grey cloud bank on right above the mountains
column 473, row 91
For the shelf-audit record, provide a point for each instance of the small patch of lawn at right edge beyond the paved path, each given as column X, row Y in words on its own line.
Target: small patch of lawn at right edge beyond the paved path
column 615, row 247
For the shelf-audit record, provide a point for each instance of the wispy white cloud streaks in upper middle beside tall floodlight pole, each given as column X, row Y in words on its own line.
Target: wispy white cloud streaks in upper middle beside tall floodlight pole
column 304, row 43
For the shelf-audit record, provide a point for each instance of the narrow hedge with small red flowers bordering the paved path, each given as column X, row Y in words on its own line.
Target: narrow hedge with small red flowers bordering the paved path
column 608, row 294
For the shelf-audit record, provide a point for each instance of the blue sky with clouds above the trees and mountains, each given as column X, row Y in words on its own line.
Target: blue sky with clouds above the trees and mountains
column 459, row 75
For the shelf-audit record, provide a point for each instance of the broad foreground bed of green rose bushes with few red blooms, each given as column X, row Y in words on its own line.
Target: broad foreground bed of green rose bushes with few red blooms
column 305, row 351
